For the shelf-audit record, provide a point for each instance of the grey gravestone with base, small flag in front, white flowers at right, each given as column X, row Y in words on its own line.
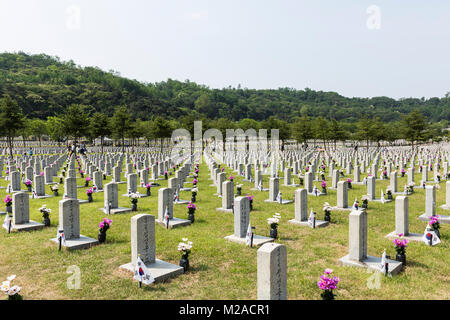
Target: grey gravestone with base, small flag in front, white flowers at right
column 143, row 246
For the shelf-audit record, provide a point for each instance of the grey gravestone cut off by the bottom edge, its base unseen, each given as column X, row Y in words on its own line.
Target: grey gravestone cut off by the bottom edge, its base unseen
column 272, row 272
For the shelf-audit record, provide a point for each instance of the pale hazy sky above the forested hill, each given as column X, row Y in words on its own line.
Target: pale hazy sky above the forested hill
column 397, row 48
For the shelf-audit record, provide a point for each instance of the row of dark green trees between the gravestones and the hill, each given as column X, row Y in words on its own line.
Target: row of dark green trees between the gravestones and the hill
column 81, row 122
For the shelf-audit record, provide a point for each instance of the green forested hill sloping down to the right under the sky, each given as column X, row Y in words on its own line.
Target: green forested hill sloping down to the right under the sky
column 44, row 86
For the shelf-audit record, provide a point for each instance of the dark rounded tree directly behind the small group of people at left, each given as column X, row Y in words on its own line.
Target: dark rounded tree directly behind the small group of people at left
column 76, row 121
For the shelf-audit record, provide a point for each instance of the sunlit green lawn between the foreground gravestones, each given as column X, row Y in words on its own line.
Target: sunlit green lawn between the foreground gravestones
column 221, row 269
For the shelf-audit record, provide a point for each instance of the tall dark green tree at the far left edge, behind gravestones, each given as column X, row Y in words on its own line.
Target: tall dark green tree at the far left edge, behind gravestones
column 12, row 120
